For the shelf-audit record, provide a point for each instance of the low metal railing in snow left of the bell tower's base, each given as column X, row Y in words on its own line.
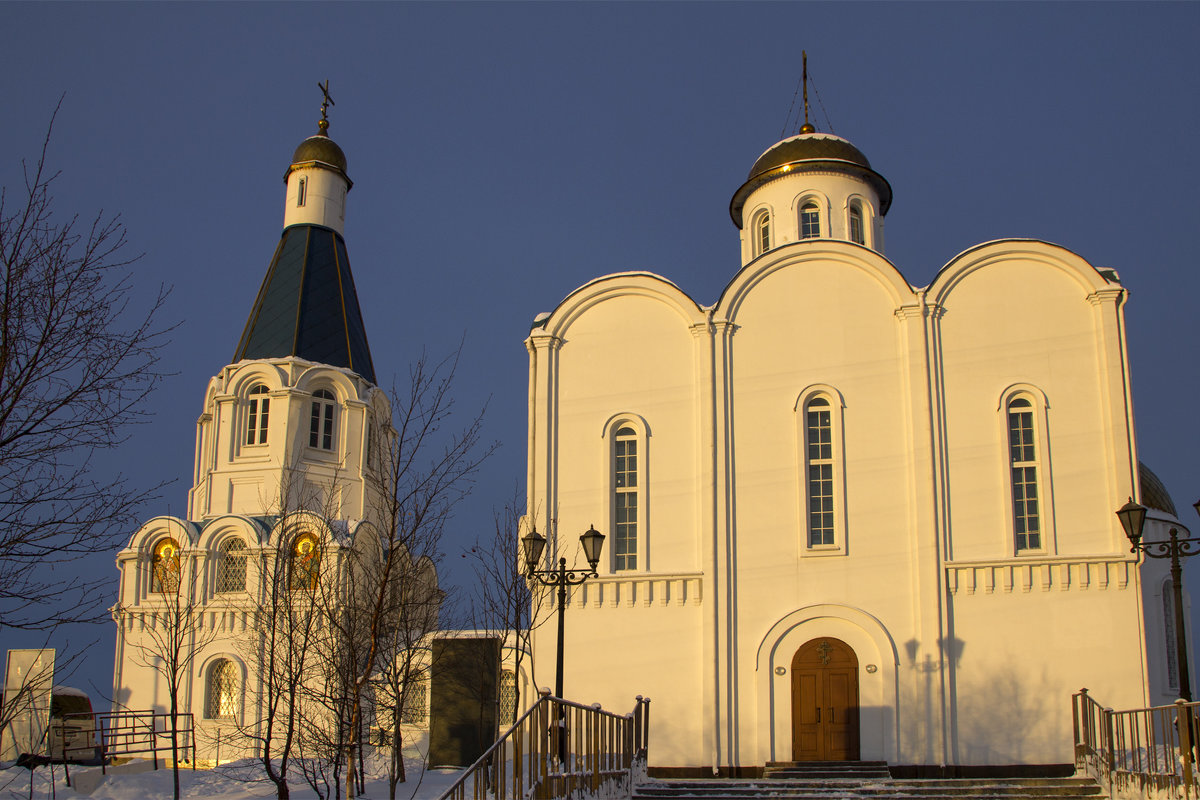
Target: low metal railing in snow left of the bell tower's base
column 129, row 733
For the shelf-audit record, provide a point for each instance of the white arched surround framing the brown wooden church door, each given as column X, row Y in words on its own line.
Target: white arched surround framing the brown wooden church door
column 874, row 647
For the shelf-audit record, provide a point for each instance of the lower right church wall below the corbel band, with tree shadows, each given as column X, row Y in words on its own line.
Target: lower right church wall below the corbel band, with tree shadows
column 1022, row 653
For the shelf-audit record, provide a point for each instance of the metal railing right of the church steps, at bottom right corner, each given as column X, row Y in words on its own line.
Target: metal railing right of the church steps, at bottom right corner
column 1141, row 750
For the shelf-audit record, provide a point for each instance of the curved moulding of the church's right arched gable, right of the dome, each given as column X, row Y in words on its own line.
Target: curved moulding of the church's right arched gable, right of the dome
column 981, row 257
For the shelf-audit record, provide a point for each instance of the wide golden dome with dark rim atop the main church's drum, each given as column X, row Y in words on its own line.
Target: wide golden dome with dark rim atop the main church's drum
column 811, row 151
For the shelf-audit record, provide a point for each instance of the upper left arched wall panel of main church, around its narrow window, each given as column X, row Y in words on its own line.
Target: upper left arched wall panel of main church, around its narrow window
column 628, row 358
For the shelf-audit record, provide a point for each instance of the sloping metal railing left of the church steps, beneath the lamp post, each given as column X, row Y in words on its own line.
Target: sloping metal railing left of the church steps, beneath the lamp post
column 560, row 749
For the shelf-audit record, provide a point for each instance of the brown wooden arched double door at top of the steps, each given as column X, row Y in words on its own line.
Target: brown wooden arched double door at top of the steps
column 825, row 702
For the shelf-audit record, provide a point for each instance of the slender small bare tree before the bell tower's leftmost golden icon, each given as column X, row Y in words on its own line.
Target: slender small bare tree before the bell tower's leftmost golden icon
column 176, row 636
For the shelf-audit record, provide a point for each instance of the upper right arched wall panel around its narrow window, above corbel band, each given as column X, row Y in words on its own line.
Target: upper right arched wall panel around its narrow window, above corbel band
column 1025, row 326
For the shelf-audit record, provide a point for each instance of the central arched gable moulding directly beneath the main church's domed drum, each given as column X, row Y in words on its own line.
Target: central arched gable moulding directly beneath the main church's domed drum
column 800, row 255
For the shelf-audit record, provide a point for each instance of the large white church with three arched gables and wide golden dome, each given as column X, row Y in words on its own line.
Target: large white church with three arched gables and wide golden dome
column 849, row 518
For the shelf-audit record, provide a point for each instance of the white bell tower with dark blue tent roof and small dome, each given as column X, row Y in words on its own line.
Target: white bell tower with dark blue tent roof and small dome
column 286, row 482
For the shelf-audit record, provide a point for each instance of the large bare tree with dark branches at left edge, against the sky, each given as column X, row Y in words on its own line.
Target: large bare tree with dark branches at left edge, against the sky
column 77, row 360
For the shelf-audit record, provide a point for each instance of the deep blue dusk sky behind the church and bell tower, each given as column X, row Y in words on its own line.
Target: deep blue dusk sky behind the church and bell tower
column 505, row 154
